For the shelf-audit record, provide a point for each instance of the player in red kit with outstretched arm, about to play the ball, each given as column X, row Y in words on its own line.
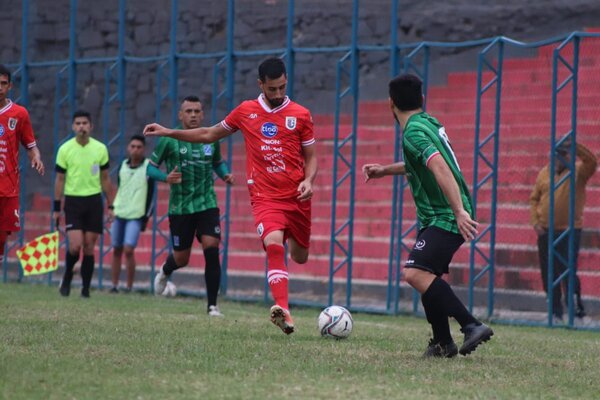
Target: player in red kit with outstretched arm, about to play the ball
column 281, row 167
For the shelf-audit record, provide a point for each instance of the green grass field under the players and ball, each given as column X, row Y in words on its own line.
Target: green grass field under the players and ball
column 140, row 347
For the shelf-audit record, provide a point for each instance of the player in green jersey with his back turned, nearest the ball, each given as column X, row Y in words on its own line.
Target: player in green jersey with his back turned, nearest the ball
column 444, row 212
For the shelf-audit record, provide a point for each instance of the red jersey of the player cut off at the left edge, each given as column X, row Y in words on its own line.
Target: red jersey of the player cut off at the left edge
column 15, row 127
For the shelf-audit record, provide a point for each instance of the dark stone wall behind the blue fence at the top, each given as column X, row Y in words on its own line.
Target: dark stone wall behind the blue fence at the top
column 259, row 25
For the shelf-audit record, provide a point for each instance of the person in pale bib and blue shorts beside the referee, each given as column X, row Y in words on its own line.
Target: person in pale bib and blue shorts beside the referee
column 133, row 207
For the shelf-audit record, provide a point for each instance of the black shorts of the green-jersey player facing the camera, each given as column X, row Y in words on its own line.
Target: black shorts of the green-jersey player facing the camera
column 185, row 227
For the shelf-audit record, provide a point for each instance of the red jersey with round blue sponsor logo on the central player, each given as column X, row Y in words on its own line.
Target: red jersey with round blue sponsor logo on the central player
column 274, row 140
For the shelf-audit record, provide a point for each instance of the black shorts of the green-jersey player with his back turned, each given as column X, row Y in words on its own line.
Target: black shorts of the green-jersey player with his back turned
column 434, row 250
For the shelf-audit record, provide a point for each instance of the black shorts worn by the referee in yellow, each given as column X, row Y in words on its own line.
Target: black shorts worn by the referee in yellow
column 84, row 213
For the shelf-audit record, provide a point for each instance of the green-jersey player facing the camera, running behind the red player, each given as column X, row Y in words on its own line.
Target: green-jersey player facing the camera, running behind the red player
column 193, row 209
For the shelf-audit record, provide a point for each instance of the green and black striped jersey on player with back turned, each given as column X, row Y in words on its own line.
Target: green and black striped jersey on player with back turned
column 423, row 138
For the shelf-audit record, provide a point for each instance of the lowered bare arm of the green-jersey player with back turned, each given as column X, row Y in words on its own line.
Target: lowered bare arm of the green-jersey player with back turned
column 443, row 176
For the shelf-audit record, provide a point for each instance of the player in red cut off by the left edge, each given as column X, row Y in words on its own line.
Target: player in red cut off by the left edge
column 15, row 128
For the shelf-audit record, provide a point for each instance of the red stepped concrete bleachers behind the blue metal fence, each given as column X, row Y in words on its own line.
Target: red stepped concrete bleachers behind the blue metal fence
column 523, row 151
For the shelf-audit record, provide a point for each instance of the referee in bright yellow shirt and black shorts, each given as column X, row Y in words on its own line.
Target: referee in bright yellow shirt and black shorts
column 82, row 175
